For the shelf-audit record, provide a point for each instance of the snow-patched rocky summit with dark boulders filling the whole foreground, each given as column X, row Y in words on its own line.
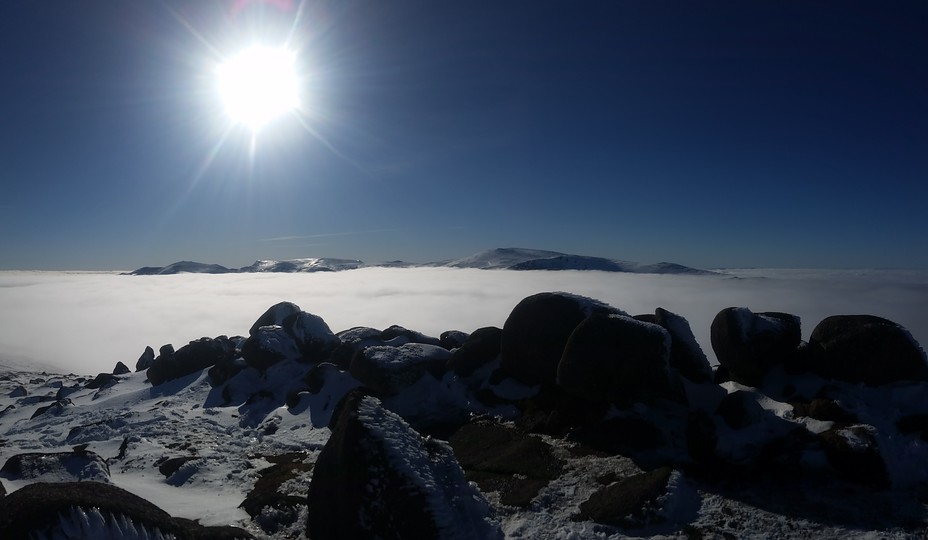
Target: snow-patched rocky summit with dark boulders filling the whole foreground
column 574, row 420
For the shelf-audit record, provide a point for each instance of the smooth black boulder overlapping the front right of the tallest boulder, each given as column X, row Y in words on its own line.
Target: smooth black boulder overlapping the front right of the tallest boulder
column 616, row 358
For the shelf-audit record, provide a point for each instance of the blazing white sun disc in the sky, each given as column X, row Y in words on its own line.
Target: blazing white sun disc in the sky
column 258, row 85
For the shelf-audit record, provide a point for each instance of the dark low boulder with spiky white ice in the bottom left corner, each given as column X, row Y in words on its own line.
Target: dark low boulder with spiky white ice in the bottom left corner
column 95, row 510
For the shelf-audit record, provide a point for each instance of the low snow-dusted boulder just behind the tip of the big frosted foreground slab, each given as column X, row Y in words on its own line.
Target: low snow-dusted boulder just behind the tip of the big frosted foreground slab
column 388, row 370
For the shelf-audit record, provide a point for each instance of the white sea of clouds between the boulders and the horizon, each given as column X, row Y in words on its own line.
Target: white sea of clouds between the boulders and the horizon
column 84, row 323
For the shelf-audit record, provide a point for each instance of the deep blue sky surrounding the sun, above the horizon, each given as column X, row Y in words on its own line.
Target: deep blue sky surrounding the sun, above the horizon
column 723, row 133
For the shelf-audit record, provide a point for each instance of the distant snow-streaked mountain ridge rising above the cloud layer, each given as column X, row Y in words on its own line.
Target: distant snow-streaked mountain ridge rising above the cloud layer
column 492, row 259
